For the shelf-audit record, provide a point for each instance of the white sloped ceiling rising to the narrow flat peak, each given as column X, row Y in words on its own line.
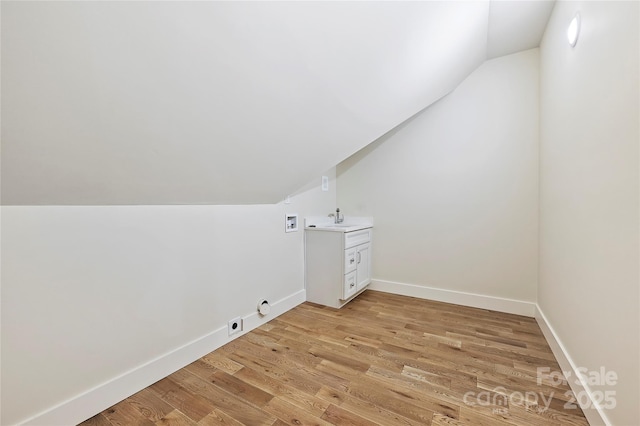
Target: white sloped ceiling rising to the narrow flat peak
column 221, row 102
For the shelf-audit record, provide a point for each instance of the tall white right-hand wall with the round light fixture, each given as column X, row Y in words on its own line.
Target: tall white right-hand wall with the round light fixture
column 589, row 193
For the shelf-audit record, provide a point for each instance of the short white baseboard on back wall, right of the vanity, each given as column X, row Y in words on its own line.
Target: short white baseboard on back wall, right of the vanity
column 499, row 304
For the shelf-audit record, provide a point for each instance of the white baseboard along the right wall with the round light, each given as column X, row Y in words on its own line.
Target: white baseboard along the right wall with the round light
column 594, row 413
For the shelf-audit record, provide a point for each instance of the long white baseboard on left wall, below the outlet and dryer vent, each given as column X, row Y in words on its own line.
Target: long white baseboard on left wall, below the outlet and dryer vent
column 101, row 397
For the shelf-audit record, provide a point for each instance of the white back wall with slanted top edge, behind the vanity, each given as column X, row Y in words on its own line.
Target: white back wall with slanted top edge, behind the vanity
column 454, row 190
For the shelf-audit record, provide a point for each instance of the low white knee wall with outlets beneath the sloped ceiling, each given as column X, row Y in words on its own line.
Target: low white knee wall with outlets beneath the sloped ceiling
column 91, row 292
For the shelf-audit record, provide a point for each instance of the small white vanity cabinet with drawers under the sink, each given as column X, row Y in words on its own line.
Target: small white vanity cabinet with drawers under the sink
column 338, row 264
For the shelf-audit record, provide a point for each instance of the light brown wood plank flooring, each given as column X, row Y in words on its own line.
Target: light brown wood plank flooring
column 382, row 359
